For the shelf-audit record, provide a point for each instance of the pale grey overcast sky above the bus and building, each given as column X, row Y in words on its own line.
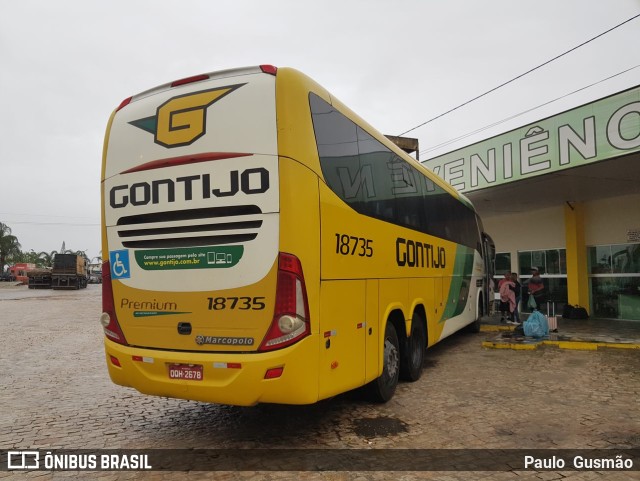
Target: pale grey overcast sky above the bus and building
column 66, row 64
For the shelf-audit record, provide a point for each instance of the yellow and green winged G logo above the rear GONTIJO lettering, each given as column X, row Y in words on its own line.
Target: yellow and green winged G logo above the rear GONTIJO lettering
column 182, row 120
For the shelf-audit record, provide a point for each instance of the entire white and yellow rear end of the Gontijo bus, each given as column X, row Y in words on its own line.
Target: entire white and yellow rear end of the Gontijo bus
column 198, row 301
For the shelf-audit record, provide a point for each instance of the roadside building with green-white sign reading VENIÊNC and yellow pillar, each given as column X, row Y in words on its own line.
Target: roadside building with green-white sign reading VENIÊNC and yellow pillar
column 563, row 194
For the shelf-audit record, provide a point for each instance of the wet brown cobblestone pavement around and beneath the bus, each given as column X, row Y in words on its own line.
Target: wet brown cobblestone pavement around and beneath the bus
column 56, row 394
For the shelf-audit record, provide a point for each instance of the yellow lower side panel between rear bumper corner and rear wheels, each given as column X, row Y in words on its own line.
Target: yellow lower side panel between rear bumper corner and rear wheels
column 343, row 329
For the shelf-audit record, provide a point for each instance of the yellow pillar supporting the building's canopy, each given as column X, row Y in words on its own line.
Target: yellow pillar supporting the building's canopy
column 577, row 273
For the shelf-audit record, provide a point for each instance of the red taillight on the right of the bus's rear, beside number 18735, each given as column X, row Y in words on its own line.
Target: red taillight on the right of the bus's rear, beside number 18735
column 291, row 315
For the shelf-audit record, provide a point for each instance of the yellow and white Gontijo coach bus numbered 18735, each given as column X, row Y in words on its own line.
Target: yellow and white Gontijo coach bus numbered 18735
column 262, row 243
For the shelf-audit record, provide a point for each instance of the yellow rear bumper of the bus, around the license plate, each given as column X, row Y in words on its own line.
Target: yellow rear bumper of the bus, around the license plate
column 243, row 385
